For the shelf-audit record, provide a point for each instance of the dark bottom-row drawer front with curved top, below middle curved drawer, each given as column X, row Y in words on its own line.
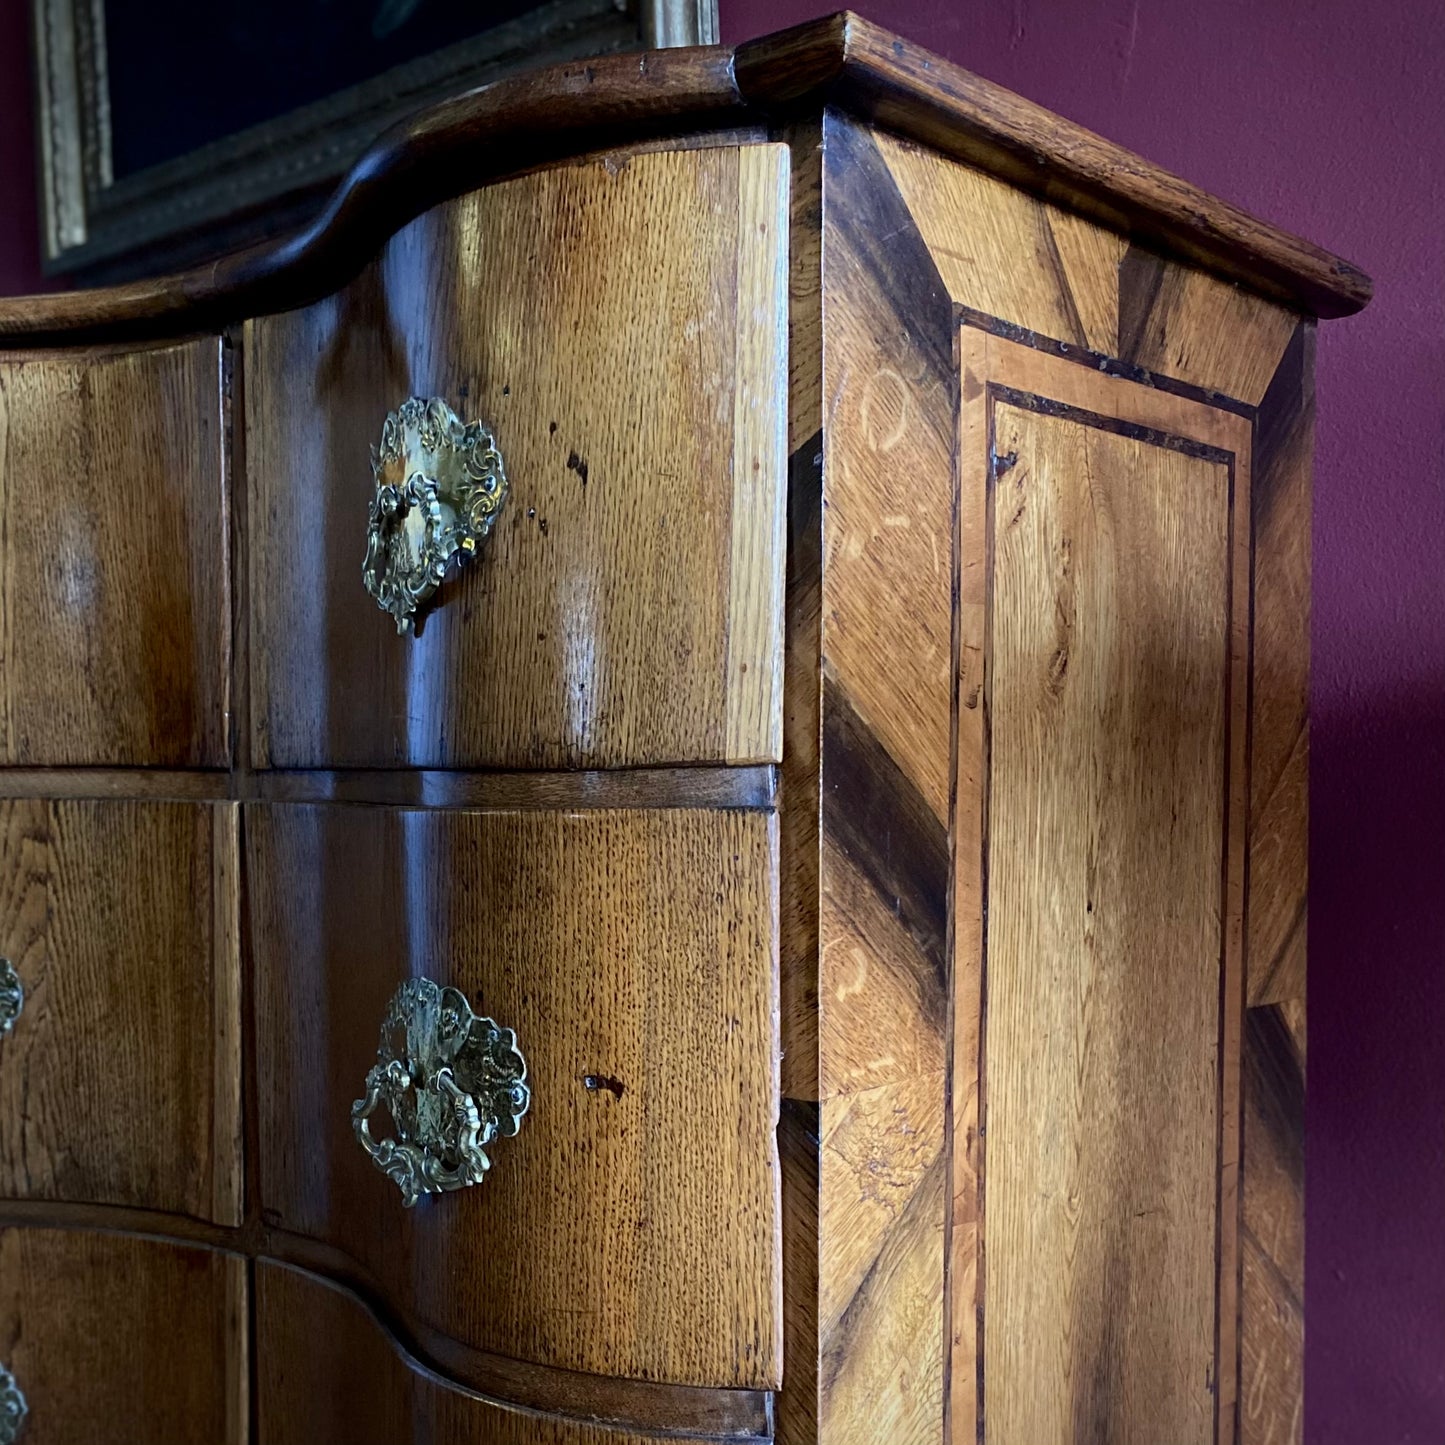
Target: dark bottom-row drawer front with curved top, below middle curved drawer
column 329, row 1372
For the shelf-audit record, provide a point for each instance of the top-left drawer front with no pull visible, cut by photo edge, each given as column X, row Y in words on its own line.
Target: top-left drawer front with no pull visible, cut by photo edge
column 115, row 621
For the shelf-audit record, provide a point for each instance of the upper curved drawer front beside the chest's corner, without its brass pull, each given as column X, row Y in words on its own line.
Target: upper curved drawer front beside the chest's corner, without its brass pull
column 622, row 327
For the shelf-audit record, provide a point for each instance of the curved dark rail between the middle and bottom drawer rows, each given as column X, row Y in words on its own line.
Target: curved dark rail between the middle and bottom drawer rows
column 641, row 1407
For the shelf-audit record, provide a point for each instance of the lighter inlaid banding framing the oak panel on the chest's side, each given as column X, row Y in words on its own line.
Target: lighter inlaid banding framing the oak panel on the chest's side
column 993, row 355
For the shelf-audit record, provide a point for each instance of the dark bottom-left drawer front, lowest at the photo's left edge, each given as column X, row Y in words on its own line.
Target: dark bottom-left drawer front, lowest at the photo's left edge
column 122, row 1340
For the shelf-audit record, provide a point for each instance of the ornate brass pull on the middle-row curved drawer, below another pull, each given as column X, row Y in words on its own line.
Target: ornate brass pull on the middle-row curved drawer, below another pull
column 452, row 1083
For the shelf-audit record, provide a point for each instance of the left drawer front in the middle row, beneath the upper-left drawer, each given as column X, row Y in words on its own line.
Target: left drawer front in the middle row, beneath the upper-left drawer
column 121, row 1077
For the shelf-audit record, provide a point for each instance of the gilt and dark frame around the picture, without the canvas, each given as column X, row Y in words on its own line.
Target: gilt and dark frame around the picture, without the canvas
column 102, row 222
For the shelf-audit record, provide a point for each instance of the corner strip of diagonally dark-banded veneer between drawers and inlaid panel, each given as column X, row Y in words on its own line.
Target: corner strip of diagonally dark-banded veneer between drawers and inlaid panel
column 872, row 619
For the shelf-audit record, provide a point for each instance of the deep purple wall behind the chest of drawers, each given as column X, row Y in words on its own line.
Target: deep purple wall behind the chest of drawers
column 1326, row 116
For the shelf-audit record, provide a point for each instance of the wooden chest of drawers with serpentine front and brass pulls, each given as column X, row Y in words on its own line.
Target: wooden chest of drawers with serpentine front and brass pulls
column 788, row 923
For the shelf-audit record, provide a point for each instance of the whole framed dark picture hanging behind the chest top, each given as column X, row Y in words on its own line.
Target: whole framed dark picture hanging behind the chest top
column 171, row 132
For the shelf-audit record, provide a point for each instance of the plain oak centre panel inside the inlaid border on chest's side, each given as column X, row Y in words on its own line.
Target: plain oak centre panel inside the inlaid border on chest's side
column 1108, row 774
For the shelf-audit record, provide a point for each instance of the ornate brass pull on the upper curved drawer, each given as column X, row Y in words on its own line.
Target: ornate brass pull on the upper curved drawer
column 440, row 485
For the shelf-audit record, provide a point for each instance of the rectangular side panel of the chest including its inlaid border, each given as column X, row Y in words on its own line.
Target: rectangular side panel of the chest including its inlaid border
column 1067, row 550
